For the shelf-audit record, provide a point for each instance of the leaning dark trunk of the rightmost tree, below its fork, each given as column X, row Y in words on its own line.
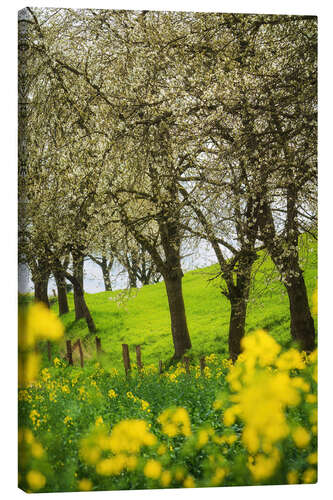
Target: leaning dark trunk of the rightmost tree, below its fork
column 301, row 322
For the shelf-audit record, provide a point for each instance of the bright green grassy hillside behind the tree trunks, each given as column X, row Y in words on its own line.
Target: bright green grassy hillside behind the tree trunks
column 141, row 316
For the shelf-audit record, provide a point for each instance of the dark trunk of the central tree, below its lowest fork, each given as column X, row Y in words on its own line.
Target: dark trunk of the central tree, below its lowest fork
column 180, row 334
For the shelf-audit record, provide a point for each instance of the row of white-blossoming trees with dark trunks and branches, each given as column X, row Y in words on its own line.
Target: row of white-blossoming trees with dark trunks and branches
column 142, row 132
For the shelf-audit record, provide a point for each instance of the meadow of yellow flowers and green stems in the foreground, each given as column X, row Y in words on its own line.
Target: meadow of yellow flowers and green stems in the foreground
column 254, row 422
